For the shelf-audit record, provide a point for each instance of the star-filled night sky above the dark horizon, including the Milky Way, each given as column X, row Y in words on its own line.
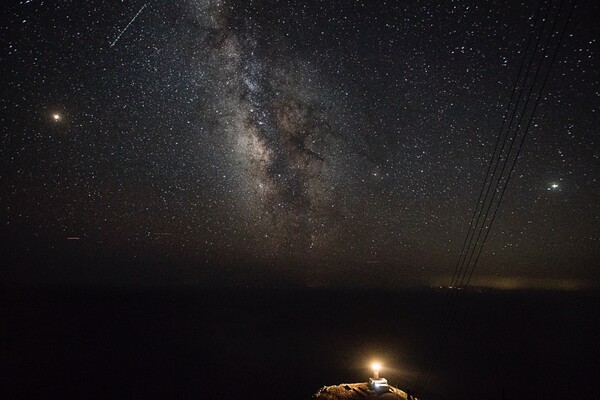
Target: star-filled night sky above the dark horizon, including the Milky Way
column 289, row 142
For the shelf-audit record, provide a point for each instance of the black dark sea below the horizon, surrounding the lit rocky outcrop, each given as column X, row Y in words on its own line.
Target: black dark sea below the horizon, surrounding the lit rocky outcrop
column 179, row 343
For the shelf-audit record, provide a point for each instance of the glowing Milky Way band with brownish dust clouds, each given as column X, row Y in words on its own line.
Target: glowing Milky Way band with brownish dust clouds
column 279, row 125
